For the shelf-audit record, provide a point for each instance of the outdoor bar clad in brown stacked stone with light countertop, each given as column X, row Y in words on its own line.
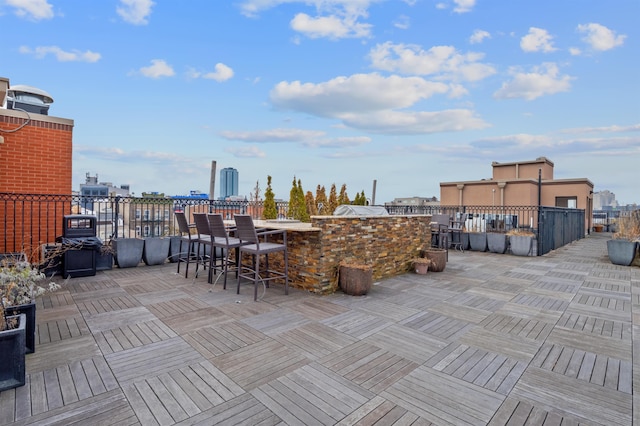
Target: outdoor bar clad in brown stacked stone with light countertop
column 387, row 243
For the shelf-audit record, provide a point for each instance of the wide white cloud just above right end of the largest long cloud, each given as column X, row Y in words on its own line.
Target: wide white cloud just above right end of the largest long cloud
column 442, row 61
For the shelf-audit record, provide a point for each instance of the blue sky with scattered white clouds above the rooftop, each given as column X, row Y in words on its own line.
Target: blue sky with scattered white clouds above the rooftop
column 409, row 93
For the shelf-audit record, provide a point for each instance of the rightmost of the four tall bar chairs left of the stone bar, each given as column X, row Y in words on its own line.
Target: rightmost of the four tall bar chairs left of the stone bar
column 252, row 245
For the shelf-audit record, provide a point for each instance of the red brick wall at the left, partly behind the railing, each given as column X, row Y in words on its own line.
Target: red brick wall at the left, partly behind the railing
column 36, row 159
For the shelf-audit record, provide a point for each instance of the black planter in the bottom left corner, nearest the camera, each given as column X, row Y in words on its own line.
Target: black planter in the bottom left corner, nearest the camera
column 12, row 350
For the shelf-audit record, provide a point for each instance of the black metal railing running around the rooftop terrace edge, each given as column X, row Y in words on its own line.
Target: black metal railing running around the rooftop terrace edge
column 28, row 221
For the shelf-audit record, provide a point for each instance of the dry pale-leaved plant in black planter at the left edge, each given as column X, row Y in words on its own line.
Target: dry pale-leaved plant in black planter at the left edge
column 19, row 287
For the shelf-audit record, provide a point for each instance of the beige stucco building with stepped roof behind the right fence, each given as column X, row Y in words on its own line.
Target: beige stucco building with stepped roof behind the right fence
column 516, row 184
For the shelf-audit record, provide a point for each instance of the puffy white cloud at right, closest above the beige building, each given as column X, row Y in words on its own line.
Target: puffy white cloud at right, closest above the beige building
column 543, row 80
